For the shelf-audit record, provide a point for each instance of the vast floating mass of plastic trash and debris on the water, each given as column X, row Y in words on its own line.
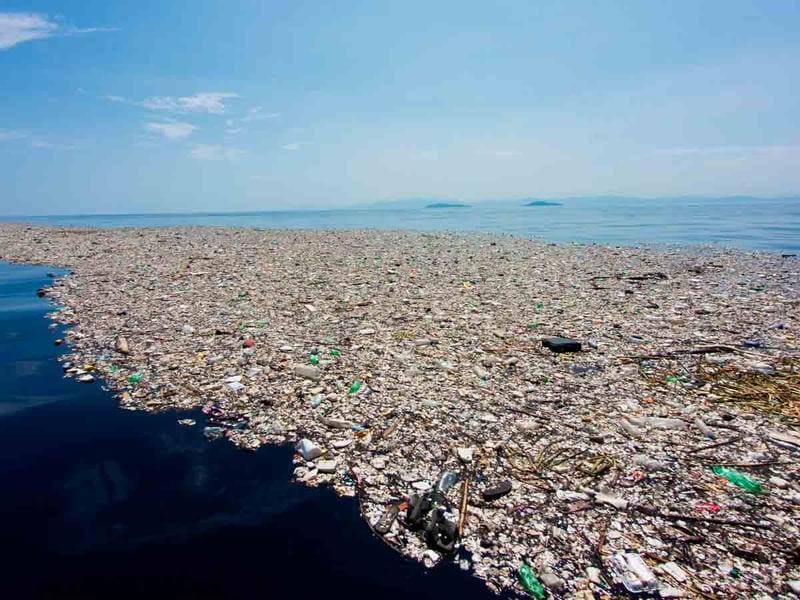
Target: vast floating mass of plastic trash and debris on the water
column 573, row 421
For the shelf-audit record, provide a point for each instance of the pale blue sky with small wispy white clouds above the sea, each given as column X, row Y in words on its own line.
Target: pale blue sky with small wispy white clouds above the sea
column 150, row 106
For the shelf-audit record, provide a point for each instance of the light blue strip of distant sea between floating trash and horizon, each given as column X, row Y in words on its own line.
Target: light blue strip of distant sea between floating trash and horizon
column 749, row 223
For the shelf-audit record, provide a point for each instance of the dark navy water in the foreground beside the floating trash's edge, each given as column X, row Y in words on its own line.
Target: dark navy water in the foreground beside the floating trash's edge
column 98, row 502
